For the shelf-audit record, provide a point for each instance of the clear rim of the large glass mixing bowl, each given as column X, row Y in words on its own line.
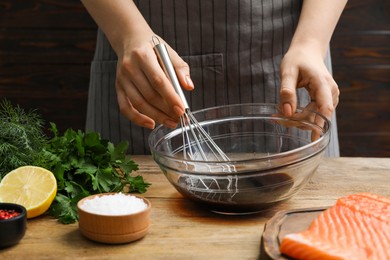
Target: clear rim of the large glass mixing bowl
column 268, row 157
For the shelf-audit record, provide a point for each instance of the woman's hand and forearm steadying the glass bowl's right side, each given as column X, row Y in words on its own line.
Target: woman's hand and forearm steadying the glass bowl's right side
column 303, row 65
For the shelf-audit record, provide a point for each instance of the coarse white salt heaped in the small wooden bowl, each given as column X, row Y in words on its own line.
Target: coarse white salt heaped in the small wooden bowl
column 114, row 204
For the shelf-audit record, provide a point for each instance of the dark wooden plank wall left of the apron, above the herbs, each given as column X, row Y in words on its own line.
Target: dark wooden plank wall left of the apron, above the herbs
column 46, row 47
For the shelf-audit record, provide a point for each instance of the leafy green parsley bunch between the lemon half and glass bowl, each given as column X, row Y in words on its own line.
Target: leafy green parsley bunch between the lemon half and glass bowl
column 86, row 164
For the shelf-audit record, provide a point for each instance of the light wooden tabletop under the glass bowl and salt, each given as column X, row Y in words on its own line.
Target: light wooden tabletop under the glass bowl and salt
column 181, row 230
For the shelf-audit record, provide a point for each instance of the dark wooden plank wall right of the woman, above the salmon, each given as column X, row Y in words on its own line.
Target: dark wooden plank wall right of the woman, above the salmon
column 361, row 63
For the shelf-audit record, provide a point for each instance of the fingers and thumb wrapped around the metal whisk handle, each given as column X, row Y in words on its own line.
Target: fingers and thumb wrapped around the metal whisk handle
column 149, row 90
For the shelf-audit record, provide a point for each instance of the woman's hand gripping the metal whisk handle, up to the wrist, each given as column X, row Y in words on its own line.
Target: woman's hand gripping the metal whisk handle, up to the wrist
column 145, row 94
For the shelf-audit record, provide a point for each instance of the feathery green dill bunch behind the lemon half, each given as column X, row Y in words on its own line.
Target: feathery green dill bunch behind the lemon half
column 21, row 137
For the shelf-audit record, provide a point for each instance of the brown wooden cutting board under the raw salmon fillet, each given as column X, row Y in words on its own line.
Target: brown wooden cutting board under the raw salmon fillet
column 283, row 223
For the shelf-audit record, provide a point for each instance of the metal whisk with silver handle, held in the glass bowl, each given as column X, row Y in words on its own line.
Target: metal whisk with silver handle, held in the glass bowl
column 197, row 143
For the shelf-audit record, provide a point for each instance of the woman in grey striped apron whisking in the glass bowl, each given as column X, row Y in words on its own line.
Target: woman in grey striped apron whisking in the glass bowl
column 230, row 51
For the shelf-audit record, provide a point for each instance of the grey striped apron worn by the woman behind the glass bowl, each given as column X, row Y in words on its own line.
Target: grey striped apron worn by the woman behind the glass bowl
column 233, row 48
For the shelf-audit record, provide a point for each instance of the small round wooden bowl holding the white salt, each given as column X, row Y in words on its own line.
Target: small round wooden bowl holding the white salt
column 114, row 229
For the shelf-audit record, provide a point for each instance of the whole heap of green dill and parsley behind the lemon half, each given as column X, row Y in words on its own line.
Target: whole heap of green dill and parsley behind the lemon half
column 83, row 163
